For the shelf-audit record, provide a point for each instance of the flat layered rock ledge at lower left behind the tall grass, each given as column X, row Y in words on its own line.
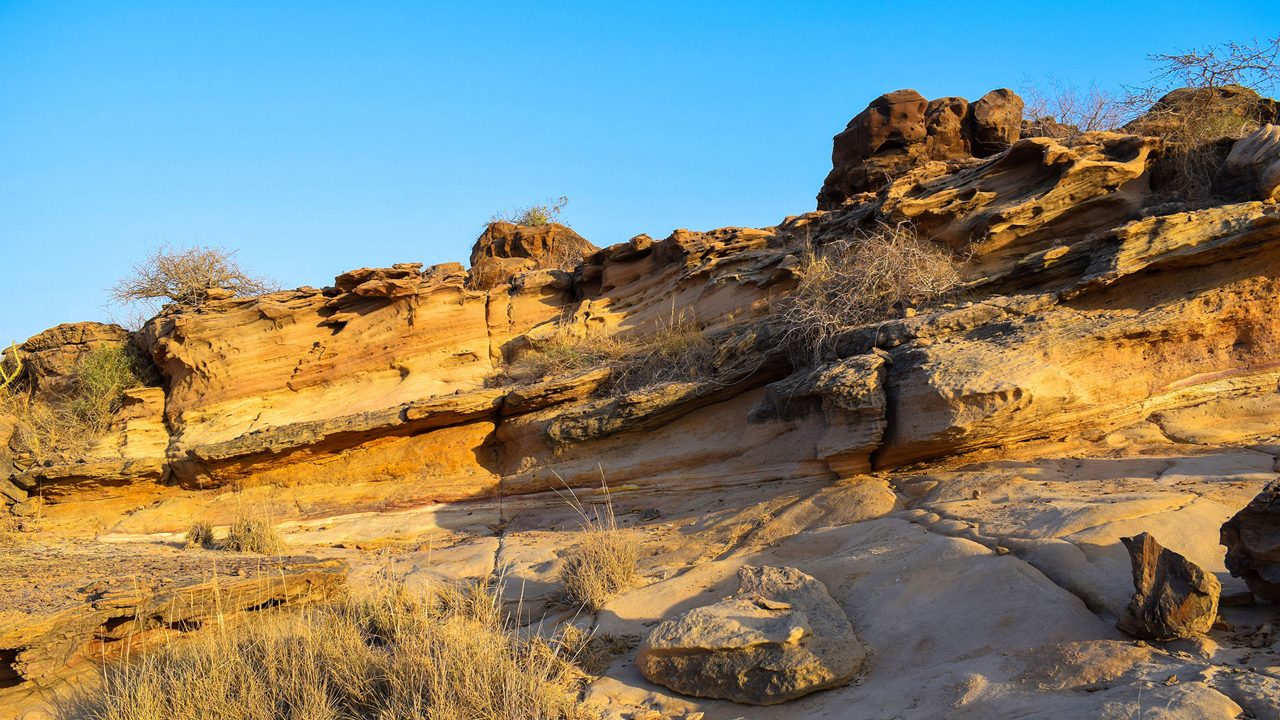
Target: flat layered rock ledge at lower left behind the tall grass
column 63, row 607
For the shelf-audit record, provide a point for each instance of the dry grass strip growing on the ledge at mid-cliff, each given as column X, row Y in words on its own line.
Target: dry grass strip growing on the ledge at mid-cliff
column 679, row 352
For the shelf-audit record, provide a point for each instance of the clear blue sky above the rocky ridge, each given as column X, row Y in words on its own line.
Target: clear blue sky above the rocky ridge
column 323, row 136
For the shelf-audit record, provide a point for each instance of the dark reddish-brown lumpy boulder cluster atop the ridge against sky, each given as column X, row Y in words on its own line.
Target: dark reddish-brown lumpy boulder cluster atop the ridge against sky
column 902, row 130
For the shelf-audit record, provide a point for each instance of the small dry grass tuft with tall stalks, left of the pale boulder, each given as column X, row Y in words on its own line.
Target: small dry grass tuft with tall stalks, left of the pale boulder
column 604, row 560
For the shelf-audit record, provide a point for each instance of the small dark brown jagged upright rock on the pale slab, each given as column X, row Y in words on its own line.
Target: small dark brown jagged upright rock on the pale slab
column 1173, row 596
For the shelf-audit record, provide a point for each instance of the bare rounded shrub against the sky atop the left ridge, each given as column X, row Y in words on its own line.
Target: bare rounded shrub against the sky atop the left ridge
column 185, row 276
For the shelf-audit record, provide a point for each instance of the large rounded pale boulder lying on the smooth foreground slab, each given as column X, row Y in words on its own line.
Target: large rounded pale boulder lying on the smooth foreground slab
column 779, row 639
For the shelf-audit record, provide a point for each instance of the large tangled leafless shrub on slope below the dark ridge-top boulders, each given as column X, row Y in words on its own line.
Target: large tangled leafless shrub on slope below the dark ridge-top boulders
column 860, row 281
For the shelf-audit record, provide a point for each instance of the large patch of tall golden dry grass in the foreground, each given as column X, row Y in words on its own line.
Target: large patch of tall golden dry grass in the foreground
column 449, row 655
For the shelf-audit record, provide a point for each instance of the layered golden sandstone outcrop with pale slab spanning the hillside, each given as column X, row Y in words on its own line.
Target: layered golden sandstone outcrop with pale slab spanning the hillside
column 1105, row 367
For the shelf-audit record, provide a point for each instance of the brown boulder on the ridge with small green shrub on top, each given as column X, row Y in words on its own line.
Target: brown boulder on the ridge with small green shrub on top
column 505, row 250
